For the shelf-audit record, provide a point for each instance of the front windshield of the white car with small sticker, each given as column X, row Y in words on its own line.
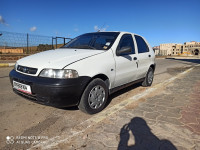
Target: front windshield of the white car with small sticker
column 97, row 41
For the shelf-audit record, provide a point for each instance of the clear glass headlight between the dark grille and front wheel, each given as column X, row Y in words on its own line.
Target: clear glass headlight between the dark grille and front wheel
column 58, row 73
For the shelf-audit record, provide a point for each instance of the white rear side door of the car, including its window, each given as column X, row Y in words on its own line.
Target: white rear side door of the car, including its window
column 144, row 56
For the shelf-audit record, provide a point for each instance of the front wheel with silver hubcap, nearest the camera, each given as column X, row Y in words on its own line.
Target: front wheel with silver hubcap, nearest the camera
column 94, row 97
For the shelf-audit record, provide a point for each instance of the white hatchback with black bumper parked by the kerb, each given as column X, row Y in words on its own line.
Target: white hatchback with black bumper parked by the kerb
column 85, row 71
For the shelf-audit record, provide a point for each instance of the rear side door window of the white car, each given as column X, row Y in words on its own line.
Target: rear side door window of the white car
column 142, row 46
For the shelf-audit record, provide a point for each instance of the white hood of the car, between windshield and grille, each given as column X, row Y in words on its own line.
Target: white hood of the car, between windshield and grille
column 56, row 59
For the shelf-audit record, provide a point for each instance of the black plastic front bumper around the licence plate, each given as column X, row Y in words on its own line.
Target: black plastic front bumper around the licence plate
column 49, row 91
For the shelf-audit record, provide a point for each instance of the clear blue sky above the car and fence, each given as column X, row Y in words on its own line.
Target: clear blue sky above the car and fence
column 159, row 21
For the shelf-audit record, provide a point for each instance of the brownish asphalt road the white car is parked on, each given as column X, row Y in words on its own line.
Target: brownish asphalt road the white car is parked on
column 20, row 117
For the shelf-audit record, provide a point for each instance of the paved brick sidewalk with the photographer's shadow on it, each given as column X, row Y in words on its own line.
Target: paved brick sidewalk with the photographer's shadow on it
column 168, row 119
